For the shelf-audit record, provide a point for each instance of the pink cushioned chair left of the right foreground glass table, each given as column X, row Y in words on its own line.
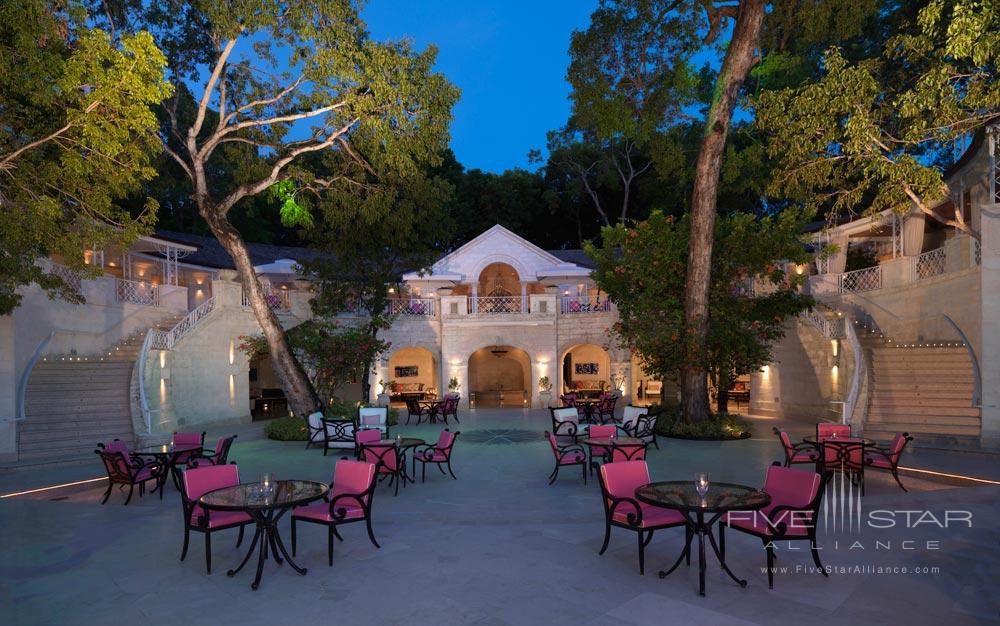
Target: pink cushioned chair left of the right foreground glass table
column 618, row 484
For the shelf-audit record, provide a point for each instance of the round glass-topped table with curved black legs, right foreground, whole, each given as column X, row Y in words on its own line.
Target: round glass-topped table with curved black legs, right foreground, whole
column 701, row 512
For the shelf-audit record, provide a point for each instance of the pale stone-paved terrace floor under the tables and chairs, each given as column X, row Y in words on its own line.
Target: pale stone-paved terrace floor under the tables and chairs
column 498, row 546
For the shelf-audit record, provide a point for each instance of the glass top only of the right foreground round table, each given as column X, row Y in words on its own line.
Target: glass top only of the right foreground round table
column 681, row 495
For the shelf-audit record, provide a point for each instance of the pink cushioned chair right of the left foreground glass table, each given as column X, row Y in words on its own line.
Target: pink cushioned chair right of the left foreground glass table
column 349, row 500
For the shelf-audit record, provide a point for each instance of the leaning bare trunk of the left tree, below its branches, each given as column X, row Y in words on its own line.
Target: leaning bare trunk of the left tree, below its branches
column 299, row 392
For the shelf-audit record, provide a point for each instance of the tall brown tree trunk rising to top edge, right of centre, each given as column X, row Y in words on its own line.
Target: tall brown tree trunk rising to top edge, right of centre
column 739, row 59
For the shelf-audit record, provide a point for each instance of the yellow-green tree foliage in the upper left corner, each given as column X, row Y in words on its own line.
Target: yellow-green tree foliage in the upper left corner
column 77, row 133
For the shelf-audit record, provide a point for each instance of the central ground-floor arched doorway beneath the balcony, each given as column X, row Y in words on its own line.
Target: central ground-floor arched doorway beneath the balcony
column 500, row 376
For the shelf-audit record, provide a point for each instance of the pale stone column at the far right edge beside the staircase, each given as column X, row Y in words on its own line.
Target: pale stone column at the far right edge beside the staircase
column 989, row 350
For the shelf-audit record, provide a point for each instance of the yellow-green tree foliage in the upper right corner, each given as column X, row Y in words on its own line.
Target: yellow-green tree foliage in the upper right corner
column 865, row 134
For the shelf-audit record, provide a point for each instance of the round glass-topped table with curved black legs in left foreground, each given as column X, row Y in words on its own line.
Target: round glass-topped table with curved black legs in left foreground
column 266, row 507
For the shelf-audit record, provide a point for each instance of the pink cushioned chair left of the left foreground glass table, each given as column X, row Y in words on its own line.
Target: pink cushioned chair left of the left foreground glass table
column 196, row 482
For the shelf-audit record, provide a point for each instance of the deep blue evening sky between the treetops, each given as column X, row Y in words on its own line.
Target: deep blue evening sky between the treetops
column 509, row 58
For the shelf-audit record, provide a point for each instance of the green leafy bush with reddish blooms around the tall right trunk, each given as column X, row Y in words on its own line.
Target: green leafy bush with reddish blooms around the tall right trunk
column 643, row 267
